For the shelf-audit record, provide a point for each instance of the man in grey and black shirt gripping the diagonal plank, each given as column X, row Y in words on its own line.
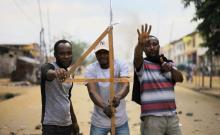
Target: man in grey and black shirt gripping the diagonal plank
column 58, row 117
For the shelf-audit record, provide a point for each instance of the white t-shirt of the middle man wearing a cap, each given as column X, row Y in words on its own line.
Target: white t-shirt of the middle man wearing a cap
column 94, row 70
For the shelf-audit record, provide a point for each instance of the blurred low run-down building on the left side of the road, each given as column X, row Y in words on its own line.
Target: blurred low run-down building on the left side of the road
column 13, row 54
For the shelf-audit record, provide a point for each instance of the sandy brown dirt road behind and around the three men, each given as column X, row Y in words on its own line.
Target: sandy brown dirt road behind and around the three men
column 199, row 114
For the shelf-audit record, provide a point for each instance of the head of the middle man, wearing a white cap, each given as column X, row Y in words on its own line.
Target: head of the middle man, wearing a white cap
column 102, row 55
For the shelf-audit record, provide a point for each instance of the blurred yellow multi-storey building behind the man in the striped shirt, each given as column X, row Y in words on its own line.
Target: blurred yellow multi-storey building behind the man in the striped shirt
column 187, row 51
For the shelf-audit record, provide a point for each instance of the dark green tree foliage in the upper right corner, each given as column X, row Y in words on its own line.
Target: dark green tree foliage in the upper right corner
column 208, row 12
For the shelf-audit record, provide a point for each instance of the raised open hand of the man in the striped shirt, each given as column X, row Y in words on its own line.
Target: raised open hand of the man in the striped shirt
column 144, row 34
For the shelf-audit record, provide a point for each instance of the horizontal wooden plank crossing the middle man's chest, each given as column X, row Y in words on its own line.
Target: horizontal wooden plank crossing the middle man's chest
column 98, row 80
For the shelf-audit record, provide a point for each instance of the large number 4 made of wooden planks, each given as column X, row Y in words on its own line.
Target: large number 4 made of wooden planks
column 112, row 80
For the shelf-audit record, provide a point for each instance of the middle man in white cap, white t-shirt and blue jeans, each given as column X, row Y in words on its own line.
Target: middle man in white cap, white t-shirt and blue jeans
column 100, row 94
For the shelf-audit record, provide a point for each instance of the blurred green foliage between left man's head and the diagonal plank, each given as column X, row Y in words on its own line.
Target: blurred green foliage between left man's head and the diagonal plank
column 78, row 49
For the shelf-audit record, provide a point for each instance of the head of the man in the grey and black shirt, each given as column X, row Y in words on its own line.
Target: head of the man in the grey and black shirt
column 63, row 53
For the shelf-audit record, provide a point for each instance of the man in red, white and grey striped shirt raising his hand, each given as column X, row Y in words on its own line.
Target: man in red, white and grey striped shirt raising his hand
column 154, row 82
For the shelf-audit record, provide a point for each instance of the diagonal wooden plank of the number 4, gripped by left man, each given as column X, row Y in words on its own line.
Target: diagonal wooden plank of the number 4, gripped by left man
column 87, row 52
